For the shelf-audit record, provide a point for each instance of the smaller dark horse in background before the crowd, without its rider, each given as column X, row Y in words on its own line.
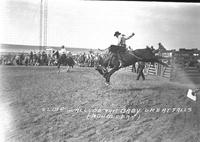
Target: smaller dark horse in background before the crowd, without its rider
column 64, row 60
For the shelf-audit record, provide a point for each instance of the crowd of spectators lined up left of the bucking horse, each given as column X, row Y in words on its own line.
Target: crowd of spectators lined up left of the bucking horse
column 45, row 58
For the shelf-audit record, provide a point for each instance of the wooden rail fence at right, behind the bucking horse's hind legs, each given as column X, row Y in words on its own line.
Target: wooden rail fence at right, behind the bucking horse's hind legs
column 173, row 71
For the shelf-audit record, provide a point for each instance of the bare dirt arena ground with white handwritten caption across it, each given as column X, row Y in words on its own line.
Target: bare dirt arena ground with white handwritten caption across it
column 38, row 104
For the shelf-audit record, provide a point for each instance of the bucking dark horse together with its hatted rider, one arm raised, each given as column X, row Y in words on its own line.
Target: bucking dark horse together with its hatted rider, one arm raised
column 119, row 56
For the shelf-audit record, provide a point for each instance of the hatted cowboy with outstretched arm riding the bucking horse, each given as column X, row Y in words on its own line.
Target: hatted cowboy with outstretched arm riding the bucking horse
column 122, row 42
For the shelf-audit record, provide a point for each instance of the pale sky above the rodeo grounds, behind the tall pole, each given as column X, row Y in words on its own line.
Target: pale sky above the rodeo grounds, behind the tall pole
column 92, row 24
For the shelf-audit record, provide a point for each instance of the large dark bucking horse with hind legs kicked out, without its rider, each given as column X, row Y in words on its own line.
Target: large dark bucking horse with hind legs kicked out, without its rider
column 128, row 57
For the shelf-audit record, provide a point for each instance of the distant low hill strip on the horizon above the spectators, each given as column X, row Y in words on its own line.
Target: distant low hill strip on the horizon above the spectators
column 16, row 48
